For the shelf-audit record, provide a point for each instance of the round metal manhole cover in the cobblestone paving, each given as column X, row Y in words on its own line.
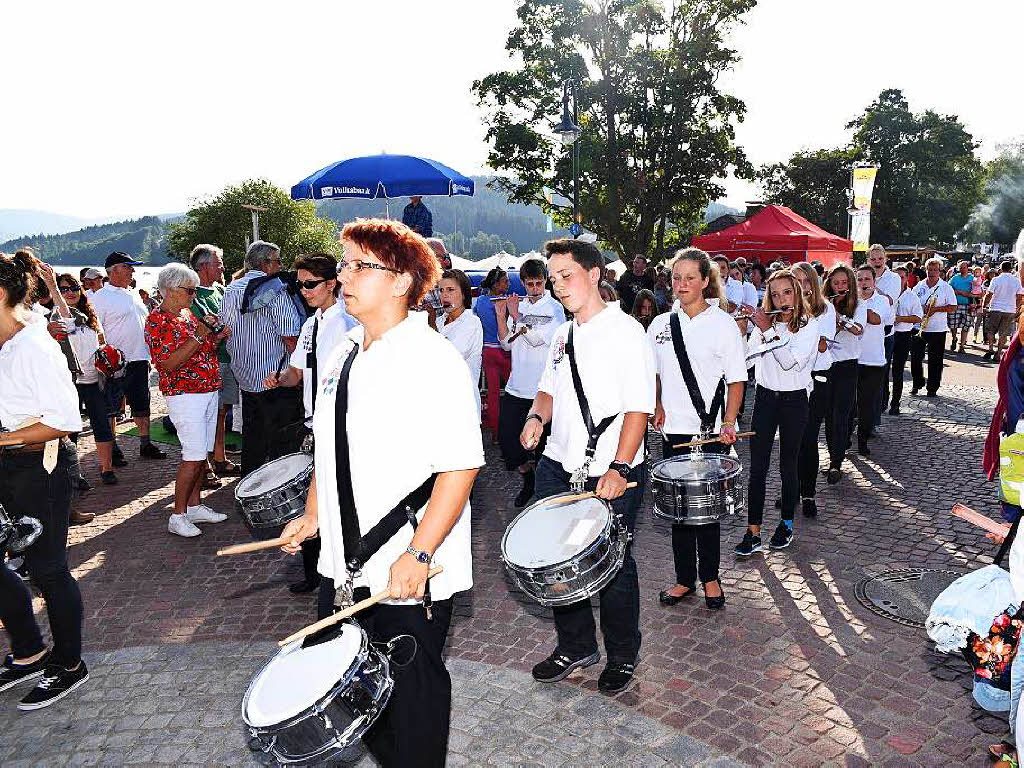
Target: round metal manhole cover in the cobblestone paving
column 905, row 595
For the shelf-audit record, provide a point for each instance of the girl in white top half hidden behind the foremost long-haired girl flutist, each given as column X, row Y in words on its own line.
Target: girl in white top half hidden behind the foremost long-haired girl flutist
column 820, row 403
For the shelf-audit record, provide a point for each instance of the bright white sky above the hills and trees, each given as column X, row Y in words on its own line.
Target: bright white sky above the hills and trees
column 129, row 109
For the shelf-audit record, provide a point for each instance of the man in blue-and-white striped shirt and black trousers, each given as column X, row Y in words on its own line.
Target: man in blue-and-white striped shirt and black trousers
column 263, row 339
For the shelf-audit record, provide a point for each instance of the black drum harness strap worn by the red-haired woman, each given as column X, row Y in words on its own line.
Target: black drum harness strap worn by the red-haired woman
column 359, row 549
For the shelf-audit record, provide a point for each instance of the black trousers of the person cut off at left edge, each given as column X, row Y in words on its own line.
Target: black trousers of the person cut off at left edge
column 26, row 489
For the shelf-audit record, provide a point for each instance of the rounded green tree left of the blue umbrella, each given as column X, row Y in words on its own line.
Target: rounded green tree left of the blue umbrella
column 223, row 222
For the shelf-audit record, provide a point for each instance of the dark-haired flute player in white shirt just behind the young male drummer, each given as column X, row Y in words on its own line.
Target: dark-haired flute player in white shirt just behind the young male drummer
column 526, row 331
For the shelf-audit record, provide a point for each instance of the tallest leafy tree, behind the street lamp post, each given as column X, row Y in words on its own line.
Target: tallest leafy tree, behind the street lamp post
column 658, row 131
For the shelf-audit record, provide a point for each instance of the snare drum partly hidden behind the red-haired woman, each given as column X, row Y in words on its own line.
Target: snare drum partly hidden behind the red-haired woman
column 276, row 493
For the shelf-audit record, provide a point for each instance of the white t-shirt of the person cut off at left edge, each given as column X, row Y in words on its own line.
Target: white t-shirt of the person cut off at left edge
column 35, row 382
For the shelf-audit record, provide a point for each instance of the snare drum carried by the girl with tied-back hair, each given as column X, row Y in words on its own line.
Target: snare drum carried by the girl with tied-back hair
column 697, row 489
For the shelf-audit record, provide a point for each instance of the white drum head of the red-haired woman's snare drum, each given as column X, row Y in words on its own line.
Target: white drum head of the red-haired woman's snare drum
column 297, row 678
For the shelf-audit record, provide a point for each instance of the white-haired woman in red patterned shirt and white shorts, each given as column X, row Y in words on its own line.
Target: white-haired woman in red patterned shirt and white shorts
column 185, row 353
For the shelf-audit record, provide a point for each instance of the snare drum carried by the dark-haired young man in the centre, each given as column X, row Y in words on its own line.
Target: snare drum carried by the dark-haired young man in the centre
column 564, row 552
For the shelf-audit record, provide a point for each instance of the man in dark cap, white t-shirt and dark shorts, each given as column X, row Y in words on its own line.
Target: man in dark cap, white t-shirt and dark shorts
column 122, row 316
